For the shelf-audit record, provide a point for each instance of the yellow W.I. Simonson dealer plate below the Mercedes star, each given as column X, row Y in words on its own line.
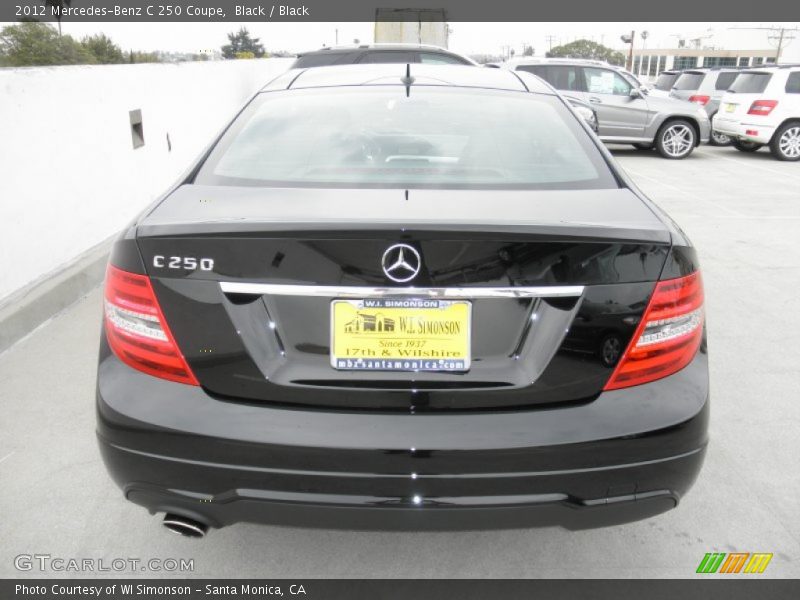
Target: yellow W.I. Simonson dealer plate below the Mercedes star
column 400, row 334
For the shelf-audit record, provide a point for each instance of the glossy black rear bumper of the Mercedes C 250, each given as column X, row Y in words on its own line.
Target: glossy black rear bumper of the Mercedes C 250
column 627, row 455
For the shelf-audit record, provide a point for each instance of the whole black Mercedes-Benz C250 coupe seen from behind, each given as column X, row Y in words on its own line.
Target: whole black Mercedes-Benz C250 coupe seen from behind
column 403, row 296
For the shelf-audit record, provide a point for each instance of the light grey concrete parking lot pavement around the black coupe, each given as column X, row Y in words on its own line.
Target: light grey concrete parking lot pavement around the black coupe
column 743, row 213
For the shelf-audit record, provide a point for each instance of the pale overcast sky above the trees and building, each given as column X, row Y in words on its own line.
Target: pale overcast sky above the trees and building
column 466, row 38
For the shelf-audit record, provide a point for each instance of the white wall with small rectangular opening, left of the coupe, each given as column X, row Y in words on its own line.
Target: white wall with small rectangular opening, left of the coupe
column 69, row 176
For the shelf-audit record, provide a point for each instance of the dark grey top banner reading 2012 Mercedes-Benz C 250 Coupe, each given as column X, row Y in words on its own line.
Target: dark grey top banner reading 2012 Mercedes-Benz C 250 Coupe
column 151, row 11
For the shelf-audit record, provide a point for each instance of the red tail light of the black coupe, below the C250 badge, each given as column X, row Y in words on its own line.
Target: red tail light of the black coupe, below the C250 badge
column 137, row 331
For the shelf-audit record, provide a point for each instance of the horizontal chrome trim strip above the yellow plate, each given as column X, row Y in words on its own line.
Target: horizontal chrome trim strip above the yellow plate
column 335, row 291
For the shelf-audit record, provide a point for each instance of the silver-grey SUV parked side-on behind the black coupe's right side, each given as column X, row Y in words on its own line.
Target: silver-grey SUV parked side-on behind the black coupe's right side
column 626, row 114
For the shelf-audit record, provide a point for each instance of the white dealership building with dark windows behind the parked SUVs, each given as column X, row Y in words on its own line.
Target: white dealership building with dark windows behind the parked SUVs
column 649, row 62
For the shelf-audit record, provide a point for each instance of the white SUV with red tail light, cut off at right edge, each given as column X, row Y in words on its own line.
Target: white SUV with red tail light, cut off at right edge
column 763, row 107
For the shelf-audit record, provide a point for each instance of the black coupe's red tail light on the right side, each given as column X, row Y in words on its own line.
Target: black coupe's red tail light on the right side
column 668, row 335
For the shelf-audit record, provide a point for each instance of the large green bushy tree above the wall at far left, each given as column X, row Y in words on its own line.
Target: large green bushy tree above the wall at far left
column 31, row 43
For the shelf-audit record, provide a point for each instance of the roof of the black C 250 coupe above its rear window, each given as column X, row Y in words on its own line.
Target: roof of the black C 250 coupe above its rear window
column 395, row 73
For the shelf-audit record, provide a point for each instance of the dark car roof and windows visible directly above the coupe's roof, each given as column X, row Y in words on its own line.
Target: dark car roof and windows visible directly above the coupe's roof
column 380, row 53
